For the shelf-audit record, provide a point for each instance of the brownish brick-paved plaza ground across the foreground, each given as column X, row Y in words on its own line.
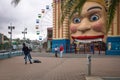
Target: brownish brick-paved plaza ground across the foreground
column 70, row 67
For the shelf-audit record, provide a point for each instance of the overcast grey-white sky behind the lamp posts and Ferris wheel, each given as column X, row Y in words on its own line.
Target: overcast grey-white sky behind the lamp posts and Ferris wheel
column 24, row 15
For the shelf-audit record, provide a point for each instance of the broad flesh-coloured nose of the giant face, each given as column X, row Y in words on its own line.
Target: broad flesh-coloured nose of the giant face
column 84, row 26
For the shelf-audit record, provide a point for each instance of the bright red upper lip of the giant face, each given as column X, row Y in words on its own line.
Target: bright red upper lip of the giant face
column 87, row 37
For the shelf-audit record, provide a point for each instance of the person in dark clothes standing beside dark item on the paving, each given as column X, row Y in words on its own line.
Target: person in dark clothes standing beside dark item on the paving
column 26, row 51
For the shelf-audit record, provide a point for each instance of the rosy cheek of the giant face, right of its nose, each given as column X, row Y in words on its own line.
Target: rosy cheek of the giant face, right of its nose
column 98, row 26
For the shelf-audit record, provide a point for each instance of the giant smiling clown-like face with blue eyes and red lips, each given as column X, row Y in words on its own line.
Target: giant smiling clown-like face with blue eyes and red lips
column 90, row 25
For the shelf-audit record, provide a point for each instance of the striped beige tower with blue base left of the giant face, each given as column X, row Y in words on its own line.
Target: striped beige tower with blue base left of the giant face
column 60, row 31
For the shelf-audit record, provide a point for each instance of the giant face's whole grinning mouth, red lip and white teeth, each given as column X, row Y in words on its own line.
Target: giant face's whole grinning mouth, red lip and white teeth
column 88, row 39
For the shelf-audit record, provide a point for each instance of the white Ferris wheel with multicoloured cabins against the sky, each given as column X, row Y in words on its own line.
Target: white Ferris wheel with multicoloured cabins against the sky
column 44, row 21
